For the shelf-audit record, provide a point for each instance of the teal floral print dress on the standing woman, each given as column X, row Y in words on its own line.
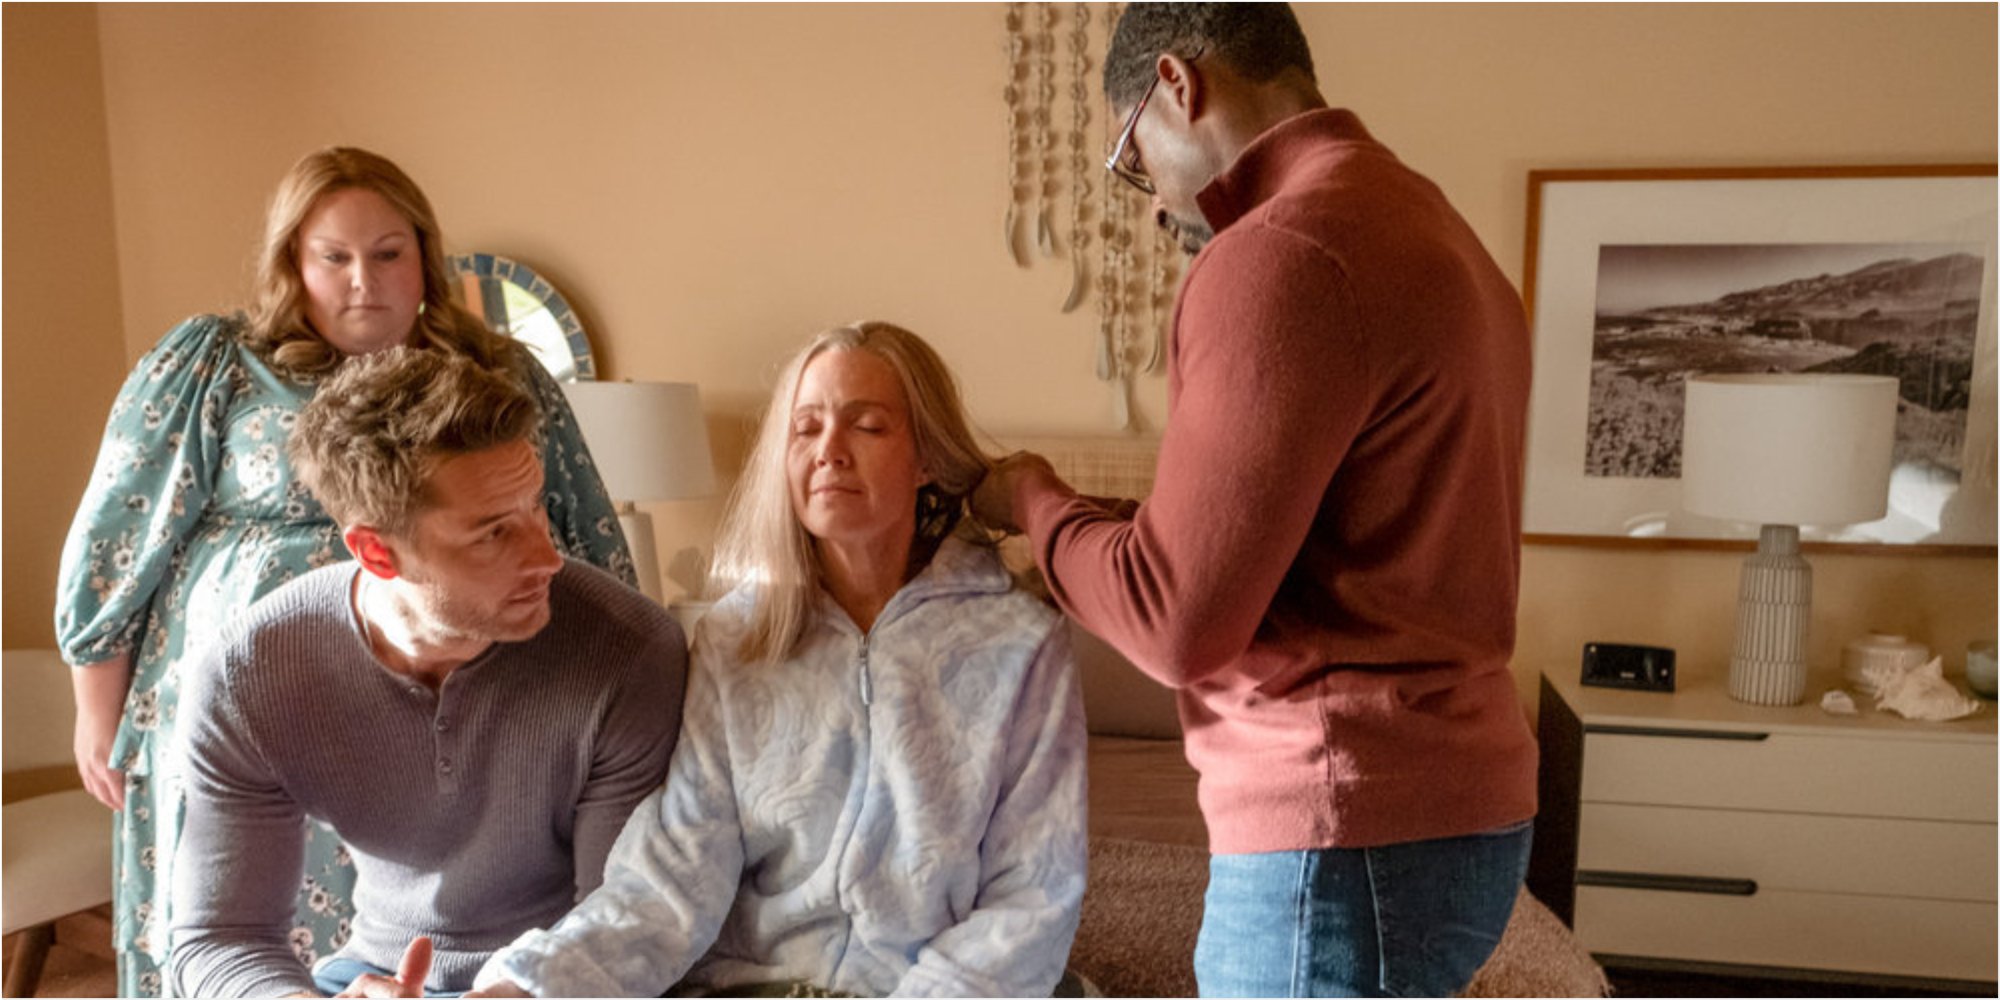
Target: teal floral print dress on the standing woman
column 191, row 515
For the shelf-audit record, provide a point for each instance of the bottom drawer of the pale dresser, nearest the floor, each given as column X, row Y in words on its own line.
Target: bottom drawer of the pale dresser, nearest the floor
column 1883, row 935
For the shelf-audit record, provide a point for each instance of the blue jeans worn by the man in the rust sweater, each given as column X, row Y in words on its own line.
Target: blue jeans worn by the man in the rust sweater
column 1397, row 921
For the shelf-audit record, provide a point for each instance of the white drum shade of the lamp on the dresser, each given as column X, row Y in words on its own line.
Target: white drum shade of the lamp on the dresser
column 1789, row 449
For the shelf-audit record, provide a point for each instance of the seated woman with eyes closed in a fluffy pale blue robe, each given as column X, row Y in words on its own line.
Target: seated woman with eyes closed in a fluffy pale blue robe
column 881, row 775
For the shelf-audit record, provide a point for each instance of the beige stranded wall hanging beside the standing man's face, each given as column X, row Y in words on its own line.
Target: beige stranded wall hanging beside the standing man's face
column 1137, row 265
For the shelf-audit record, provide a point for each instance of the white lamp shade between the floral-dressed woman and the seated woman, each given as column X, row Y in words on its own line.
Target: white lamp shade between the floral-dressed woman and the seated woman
column 647, row 439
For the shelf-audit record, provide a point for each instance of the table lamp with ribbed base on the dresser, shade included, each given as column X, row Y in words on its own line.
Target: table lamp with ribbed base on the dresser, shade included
column 1785, row 451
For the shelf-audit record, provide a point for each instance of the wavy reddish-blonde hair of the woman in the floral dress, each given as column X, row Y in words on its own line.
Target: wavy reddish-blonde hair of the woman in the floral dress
column 277, row 317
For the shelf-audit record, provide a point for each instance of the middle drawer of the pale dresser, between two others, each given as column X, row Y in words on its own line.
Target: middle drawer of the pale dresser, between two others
column 1793, row 851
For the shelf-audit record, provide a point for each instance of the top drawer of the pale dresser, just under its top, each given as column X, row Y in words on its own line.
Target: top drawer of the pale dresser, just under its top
column 1793, row 773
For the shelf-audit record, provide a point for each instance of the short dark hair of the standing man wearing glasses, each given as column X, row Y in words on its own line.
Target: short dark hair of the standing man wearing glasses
column 1259, row 41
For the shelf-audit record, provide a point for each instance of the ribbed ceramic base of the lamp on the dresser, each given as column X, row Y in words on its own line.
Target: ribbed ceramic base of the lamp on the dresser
column 1773, row 611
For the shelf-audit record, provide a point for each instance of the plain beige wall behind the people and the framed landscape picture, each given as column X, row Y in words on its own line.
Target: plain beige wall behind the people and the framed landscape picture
column 711, row 185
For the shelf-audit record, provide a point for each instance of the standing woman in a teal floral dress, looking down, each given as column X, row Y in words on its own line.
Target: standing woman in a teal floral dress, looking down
column 193, row 509
